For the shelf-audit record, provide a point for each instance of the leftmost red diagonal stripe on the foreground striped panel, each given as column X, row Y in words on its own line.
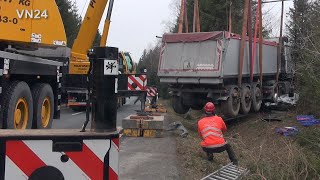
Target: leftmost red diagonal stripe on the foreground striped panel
column 23, row 157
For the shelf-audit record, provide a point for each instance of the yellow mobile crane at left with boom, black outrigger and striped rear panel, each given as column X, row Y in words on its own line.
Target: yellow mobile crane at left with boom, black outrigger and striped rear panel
column 32, row 43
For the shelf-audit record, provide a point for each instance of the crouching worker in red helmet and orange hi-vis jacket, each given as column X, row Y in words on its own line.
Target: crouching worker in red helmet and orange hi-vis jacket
column 210, row 129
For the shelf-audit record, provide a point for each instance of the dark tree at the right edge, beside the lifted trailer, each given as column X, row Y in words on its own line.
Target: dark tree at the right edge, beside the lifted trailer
column 305, row 42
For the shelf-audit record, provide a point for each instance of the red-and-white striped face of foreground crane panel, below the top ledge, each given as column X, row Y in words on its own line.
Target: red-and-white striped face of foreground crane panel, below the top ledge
column 26, row 158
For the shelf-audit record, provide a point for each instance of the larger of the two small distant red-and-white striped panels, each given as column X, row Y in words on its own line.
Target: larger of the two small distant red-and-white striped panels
column 137, row 82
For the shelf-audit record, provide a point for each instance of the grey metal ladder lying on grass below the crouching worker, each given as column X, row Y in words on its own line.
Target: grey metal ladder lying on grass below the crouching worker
column 228, row 172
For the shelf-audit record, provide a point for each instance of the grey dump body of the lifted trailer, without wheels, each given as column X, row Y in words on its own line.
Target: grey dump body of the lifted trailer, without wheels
column 211, row 58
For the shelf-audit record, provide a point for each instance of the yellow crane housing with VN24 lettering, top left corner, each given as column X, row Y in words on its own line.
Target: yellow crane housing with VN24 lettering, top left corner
column 32, row 22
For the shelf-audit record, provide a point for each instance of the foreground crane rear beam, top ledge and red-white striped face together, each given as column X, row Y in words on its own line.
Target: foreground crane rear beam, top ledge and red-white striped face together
column 58, row 154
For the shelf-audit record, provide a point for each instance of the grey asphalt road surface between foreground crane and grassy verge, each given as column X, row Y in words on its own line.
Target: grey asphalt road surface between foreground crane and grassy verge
column 140, row 158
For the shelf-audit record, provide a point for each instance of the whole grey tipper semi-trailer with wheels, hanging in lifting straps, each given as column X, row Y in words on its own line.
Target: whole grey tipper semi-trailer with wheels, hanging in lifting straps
column 204, row 66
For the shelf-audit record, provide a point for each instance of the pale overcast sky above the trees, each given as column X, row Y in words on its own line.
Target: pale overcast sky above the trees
column 136, row 23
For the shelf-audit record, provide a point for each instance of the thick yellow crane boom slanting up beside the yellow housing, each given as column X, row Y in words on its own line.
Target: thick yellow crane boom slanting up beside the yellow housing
column 79, row 63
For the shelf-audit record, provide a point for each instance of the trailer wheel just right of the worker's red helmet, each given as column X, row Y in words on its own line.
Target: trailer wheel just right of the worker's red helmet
column 231, row 106
